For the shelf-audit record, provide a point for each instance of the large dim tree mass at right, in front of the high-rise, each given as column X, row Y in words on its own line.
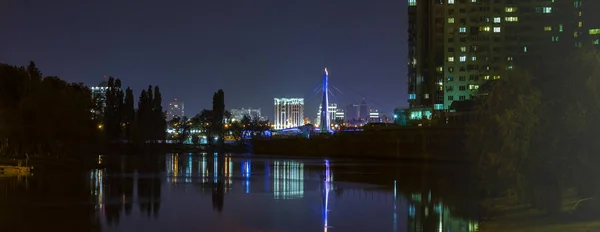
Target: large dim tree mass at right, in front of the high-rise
column 537, row 137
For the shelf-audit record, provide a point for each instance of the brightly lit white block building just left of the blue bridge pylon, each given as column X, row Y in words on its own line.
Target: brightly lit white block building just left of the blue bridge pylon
column 289, row 113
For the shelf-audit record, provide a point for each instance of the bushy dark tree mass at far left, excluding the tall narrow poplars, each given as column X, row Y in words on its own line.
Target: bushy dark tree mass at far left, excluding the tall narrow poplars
column 43, row 116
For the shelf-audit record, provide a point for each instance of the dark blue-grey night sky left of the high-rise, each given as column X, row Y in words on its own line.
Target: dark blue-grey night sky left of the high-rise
column 254, row 50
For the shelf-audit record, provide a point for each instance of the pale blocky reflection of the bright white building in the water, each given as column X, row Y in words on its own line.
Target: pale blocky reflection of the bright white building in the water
column 288, row 180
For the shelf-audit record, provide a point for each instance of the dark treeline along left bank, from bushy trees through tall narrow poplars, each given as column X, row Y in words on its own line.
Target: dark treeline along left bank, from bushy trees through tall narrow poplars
column 46, row 116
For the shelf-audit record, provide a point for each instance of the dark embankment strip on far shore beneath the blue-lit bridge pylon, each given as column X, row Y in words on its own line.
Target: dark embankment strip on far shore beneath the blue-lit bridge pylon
column 429, row 143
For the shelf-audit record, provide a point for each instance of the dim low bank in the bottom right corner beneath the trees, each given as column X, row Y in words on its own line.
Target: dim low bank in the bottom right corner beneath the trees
column 507, row 215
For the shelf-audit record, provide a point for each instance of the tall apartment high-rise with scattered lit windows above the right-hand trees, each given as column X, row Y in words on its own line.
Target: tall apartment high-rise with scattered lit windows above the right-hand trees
column 455, row 46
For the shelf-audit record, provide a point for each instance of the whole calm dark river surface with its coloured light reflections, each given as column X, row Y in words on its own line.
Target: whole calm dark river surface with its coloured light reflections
column 207, row 192
